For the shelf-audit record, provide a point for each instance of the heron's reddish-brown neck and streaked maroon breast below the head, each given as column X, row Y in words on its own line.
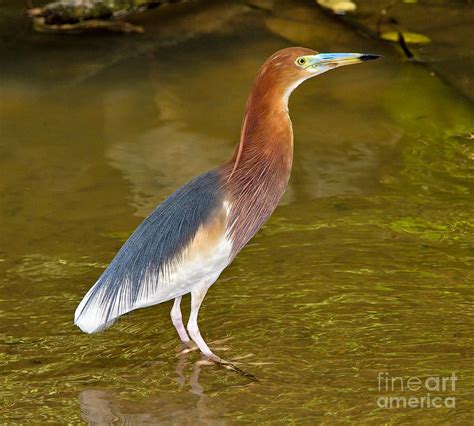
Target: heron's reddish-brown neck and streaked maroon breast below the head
column 257, row 176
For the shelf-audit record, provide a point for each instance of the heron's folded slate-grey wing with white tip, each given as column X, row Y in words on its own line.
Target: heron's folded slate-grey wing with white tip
column 157, row 242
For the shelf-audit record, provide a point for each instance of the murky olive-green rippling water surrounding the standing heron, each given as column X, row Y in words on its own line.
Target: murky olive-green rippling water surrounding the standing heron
column 367, row 266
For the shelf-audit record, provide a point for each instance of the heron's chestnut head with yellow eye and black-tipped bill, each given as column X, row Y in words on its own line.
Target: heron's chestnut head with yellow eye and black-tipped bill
column 289, row 67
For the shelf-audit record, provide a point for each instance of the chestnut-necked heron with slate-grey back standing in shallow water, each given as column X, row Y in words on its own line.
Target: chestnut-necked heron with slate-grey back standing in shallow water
column 193, row 235
